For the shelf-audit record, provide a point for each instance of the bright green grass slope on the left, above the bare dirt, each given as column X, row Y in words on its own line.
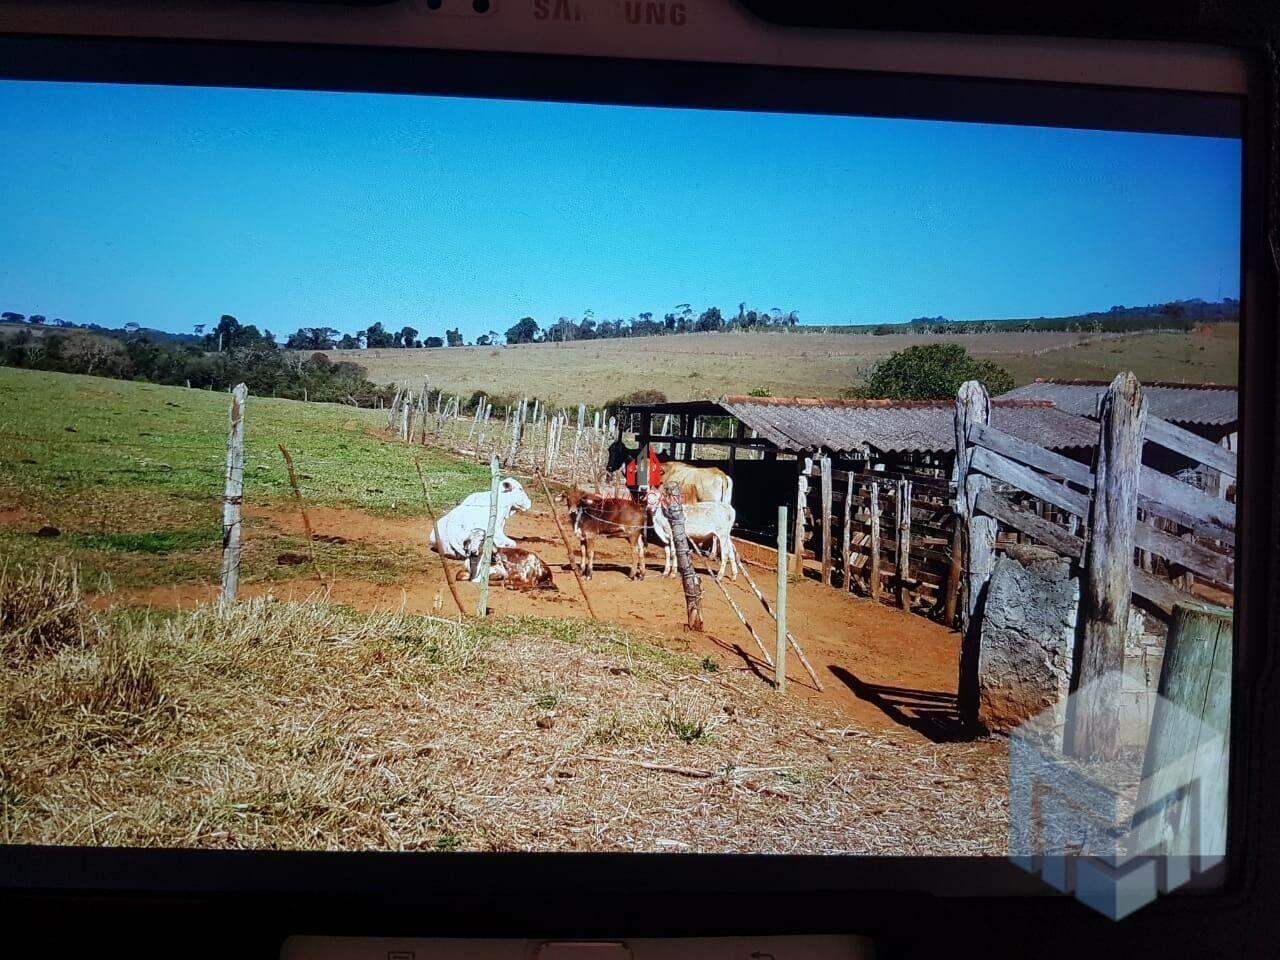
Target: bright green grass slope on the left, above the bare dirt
column 63, row 436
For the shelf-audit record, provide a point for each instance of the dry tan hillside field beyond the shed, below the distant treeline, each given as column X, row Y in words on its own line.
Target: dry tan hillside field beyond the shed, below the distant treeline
column 788, row 364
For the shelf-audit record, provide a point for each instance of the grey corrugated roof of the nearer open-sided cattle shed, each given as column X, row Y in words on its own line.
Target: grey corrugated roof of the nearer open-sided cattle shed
column 895, row 427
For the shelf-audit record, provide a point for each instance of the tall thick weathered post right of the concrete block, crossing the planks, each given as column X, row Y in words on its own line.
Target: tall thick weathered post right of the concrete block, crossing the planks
column 1108, row 582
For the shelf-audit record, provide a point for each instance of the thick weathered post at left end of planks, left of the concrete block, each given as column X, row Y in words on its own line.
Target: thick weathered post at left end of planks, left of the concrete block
column 973, row 406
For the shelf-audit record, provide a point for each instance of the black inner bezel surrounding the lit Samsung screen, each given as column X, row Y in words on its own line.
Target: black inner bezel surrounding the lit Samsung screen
column 885, row 885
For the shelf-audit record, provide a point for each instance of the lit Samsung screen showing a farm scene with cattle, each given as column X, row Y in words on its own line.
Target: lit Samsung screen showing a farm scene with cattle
column 404, row 473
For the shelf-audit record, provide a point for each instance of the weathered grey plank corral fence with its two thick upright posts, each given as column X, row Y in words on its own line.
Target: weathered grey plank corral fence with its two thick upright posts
column 1186, row 529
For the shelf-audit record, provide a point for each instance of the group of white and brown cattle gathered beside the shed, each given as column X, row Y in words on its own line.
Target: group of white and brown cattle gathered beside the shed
column 710, row 518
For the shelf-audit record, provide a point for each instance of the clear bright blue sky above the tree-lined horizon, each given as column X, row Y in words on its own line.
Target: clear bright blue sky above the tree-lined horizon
column 170, row 207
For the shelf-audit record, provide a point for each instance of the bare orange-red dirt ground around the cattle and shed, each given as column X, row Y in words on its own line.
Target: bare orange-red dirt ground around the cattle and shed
column 879, row 666
